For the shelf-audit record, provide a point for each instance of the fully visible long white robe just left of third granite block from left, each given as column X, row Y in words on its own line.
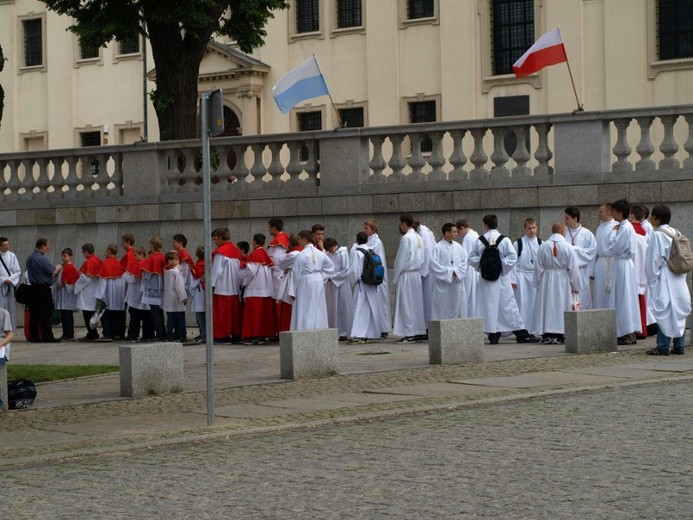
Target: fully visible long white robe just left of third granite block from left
column 409, row 317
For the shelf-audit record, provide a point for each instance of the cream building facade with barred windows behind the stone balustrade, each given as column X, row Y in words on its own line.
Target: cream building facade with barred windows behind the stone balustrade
column 386, row 62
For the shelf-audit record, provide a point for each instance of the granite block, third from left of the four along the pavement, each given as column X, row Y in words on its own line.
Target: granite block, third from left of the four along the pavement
column 452, row 342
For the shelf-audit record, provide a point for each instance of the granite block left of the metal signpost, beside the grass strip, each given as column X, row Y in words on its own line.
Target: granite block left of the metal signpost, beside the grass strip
column 150, row 368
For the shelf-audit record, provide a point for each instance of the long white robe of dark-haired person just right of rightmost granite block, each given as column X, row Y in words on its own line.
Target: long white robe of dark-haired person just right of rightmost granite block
column 622, row 246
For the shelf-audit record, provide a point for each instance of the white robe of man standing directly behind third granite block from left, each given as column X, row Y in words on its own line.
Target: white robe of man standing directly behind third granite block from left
column 448, row 267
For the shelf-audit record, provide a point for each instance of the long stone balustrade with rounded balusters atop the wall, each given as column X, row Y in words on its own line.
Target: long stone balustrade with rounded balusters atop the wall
column 523, row 150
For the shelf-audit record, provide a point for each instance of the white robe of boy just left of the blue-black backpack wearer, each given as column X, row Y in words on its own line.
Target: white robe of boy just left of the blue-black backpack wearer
column 340, row 304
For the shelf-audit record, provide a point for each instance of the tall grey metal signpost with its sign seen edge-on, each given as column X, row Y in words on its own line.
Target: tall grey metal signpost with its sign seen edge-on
column 207, row 218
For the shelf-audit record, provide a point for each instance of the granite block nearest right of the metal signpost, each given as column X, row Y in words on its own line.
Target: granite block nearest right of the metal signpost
column 308, row 353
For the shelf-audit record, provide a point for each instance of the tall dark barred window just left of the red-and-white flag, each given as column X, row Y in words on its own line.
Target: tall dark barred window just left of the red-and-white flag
column 512, row 32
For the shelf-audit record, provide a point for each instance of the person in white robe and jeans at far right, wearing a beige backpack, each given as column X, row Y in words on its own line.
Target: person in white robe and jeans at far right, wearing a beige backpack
column 670, row 299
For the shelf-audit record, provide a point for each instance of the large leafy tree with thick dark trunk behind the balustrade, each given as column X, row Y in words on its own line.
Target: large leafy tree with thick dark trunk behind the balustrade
column 178, row 31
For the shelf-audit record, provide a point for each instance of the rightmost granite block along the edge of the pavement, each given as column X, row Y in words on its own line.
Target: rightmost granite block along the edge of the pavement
column 590, row 331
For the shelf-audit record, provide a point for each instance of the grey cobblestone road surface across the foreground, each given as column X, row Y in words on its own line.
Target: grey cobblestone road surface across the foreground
column 619, row 453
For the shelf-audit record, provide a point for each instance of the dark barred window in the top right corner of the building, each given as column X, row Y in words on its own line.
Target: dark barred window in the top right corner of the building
column 675, row 29
